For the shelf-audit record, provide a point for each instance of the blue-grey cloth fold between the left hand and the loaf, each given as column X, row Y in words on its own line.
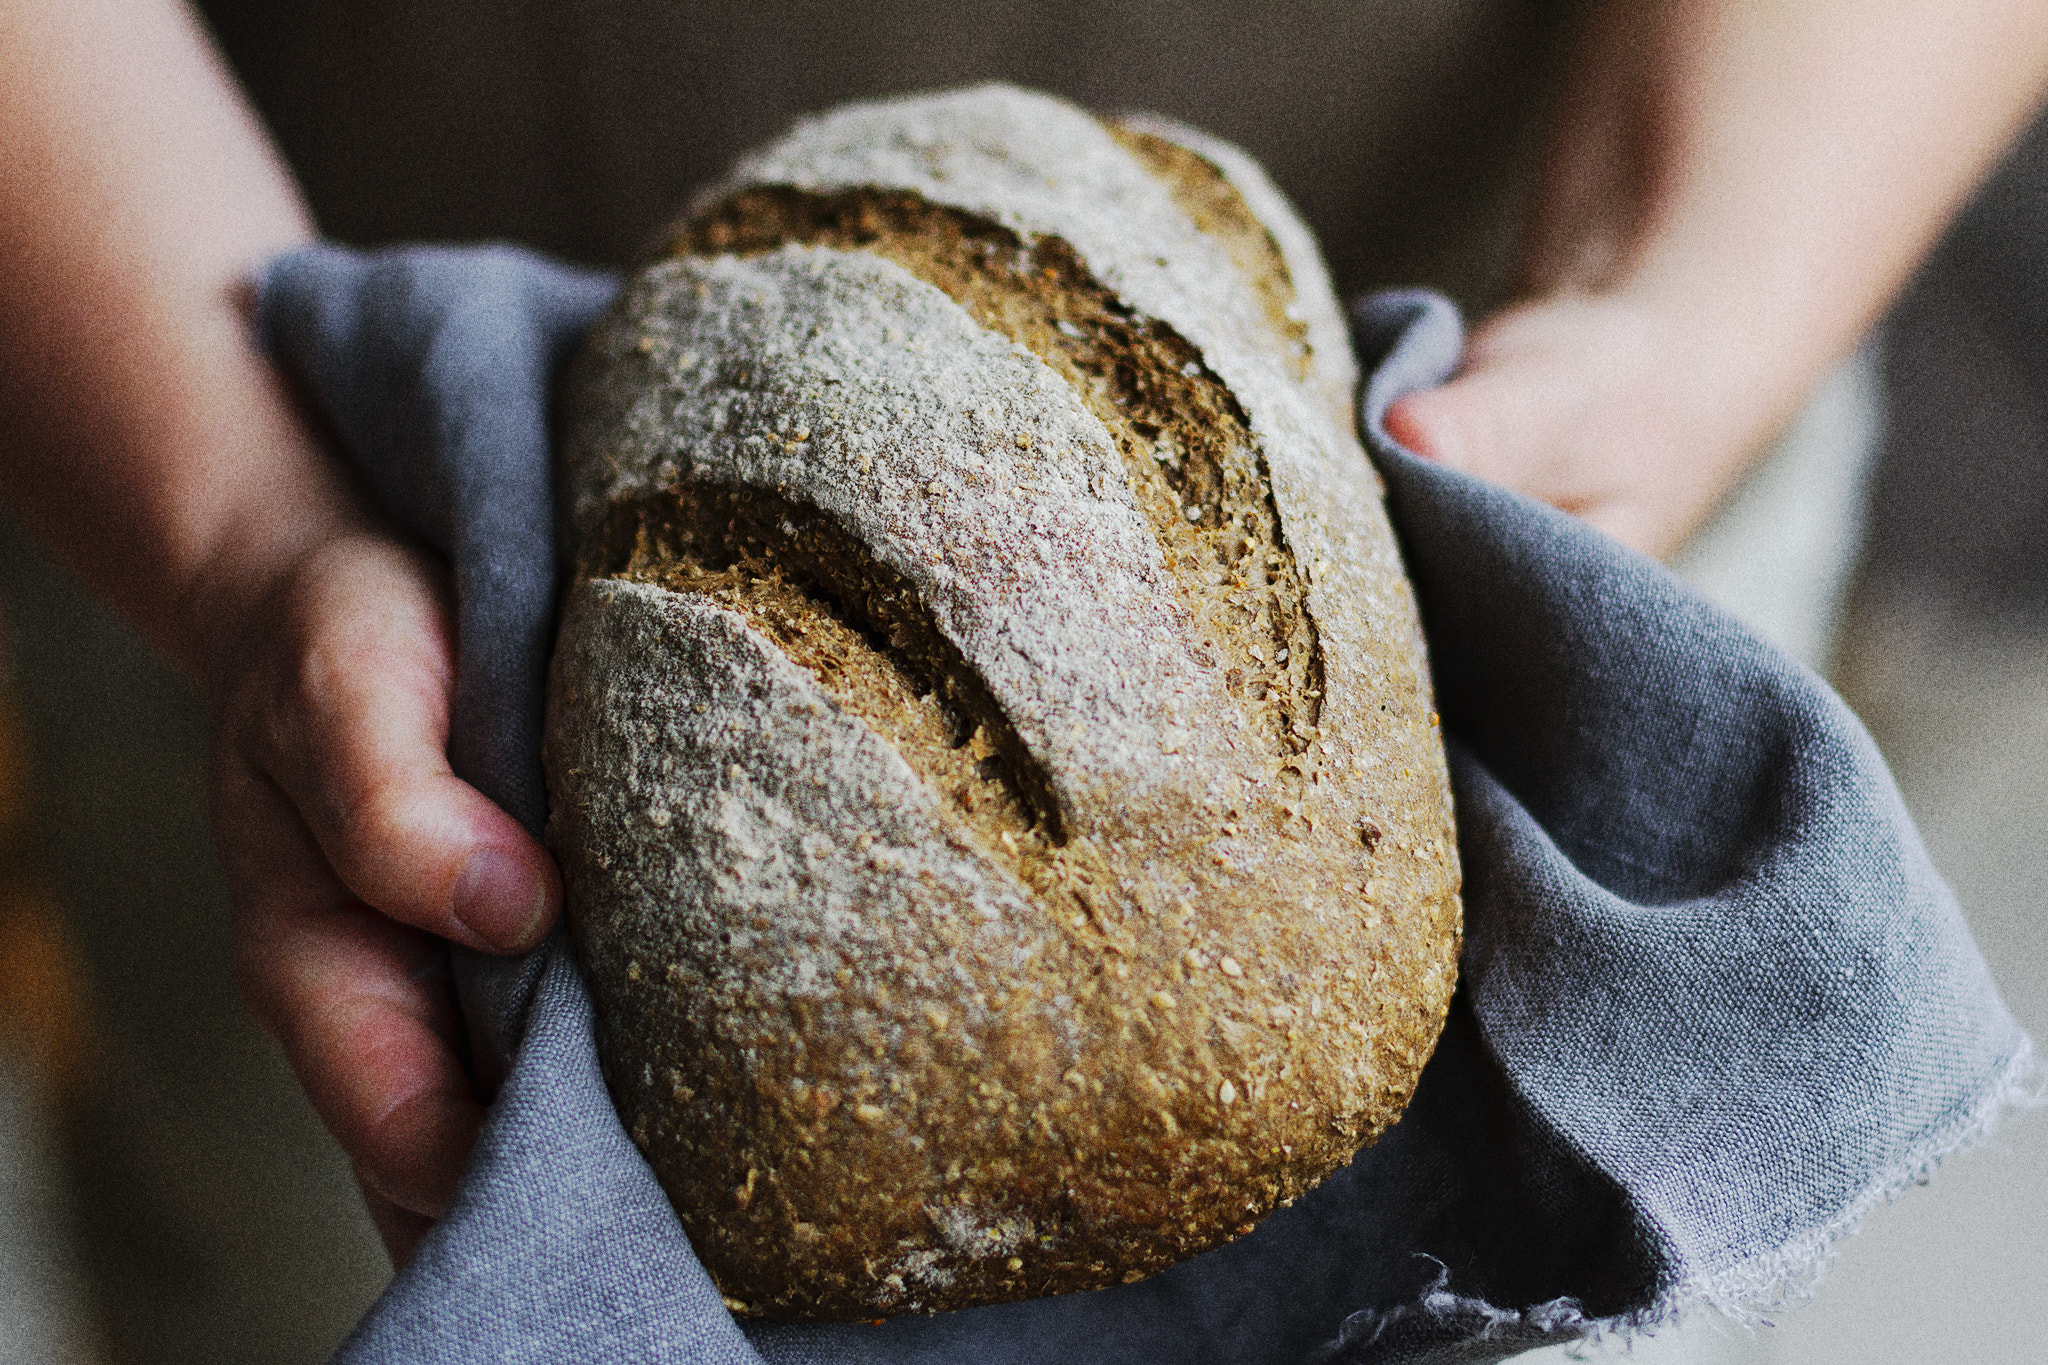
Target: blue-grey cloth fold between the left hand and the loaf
column 433, row 365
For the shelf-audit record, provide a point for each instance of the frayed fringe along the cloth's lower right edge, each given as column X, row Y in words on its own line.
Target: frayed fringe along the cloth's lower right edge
column 1744, row 1294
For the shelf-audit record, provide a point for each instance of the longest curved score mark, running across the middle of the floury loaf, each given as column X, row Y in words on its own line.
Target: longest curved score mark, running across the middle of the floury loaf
column 1187, row 445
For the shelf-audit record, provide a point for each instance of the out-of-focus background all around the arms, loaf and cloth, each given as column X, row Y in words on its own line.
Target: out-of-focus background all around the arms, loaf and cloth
column 169, row 1196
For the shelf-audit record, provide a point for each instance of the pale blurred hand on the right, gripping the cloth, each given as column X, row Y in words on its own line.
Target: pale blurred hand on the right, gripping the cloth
column 1598, row 406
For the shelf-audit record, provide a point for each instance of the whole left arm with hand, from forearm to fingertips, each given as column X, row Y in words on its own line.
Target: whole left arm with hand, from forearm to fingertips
column 151, row 445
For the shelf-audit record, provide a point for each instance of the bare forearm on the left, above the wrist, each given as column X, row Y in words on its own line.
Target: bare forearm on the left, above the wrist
column 142, row 435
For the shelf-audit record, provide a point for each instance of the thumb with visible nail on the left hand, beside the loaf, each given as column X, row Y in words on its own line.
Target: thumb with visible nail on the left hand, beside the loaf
column 355, row 734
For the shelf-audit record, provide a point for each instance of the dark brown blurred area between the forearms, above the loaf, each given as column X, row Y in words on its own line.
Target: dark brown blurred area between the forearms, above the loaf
column 583, row 128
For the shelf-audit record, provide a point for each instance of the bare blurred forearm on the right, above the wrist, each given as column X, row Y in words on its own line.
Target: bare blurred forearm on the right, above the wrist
column 1768, row 173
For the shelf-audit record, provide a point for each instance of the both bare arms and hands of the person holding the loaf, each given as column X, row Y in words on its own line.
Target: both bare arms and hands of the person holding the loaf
column 1736, row 189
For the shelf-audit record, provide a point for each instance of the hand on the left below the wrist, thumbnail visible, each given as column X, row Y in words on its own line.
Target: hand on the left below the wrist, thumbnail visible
column 353, row 854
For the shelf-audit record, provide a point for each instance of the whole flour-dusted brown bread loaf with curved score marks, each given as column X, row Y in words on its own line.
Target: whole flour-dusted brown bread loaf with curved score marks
column 990, row 736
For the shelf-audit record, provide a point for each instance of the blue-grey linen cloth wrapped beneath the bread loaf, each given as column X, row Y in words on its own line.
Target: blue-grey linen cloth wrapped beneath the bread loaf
column 1715, row 1000
